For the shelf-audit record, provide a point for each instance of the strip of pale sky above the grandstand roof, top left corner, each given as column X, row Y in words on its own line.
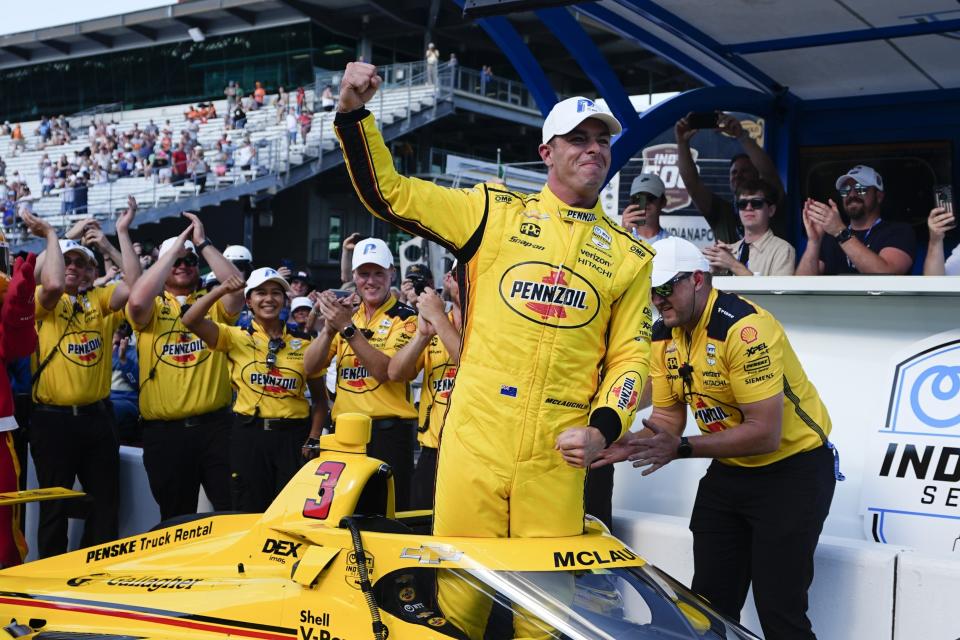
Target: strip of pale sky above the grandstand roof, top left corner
column 26, row 16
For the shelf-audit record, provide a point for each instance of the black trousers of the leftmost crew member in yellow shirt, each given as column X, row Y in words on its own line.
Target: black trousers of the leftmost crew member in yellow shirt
column 66, row 447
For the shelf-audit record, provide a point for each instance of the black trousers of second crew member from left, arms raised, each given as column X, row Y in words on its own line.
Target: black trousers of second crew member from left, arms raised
column 180, row 458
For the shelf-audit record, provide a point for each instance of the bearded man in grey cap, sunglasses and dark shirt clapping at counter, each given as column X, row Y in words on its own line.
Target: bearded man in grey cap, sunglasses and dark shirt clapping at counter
column 869, row 244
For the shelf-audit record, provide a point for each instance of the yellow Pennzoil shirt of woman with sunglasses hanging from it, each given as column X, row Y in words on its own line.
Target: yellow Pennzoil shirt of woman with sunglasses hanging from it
column 267, row 392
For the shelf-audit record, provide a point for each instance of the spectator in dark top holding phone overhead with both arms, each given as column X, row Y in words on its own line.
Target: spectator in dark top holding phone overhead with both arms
column 753, row 163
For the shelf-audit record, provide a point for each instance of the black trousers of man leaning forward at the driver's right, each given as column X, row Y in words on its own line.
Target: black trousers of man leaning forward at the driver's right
column 761, row 525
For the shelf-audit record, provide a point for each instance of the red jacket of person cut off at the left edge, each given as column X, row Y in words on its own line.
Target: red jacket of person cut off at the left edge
column 18, row 330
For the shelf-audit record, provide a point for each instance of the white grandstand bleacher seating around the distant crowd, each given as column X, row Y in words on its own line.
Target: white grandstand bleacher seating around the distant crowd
column 274, row 154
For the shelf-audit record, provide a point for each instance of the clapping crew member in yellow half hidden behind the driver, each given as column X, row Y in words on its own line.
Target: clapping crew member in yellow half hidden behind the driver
column 434, row 350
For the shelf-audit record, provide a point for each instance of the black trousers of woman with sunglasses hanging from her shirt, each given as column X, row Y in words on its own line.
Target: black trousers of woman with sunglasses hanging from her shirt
column 263, row 461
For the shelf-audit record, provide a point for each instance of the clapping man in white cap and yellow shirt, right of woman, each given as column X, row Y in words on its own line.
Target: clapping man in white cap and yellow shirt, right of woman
column 364, row 338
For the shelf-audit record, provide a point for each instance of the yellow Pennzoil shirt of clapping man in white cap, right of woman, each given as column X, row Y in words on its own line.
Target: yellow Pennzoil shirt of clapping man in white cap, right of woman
column 392, row 326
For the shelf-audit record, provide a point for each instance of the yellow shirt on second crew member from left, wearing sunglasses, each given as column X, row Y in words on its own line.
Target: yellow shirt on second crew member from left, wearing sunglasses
column 179, row 375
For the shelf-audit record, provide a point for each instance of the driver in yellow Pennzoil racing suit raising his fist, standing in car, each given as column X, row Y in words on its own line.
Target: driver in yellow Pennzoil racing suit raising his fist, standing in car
column 555, row 340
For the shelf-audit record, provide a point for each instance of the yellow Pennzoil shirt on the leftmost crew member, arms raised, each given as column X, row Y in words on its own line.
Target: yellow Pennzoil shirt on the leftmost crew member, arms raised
column 80, row 332
